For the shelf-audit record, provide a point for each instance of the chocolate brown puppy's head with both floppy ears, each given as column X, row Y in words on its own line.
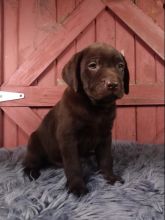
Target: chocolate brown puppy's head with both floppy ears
column 100, row 71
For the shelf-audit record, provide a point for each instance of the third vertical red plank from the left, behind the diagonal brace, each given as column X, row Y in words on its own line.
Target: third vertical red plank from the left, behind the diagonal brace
column 46, row 15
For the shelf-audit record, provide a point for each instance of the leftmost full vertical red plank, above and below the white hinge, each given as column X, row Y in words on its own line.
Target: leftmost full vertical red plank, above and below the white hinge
column 10, row 56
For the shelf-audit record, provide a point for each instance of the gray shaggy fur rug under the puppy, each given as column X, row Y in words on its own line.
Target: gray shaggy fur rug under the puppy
column 141, row 197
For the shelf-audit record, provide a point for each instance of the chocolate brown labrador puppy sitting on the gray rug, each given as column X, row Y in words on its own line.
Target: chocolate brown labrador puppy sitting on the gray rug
column 81, row 122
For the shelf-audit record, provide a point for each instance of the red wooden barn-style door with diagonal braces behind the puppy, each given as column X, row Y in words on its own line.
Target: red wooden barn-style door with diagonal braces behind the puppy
column 39, row 37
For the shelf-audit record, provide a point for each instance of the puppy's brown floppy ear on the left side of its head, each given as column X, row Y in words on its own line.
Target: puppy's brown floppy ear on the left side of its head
column 71, row 71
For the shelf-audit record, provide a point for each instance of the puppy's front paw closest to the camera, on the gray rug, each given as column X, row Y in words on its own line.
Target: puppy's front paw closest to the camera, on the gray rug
column 78, row 188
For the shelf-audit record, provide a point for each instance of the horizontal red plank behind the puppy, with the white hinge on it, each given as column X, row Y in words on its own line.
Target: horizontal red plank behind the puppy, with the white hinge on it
column 48, row 96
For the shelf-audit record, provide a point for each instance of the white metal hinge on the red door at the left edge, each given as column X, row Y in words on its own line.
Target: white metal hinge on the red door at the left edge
column 7, row 96
